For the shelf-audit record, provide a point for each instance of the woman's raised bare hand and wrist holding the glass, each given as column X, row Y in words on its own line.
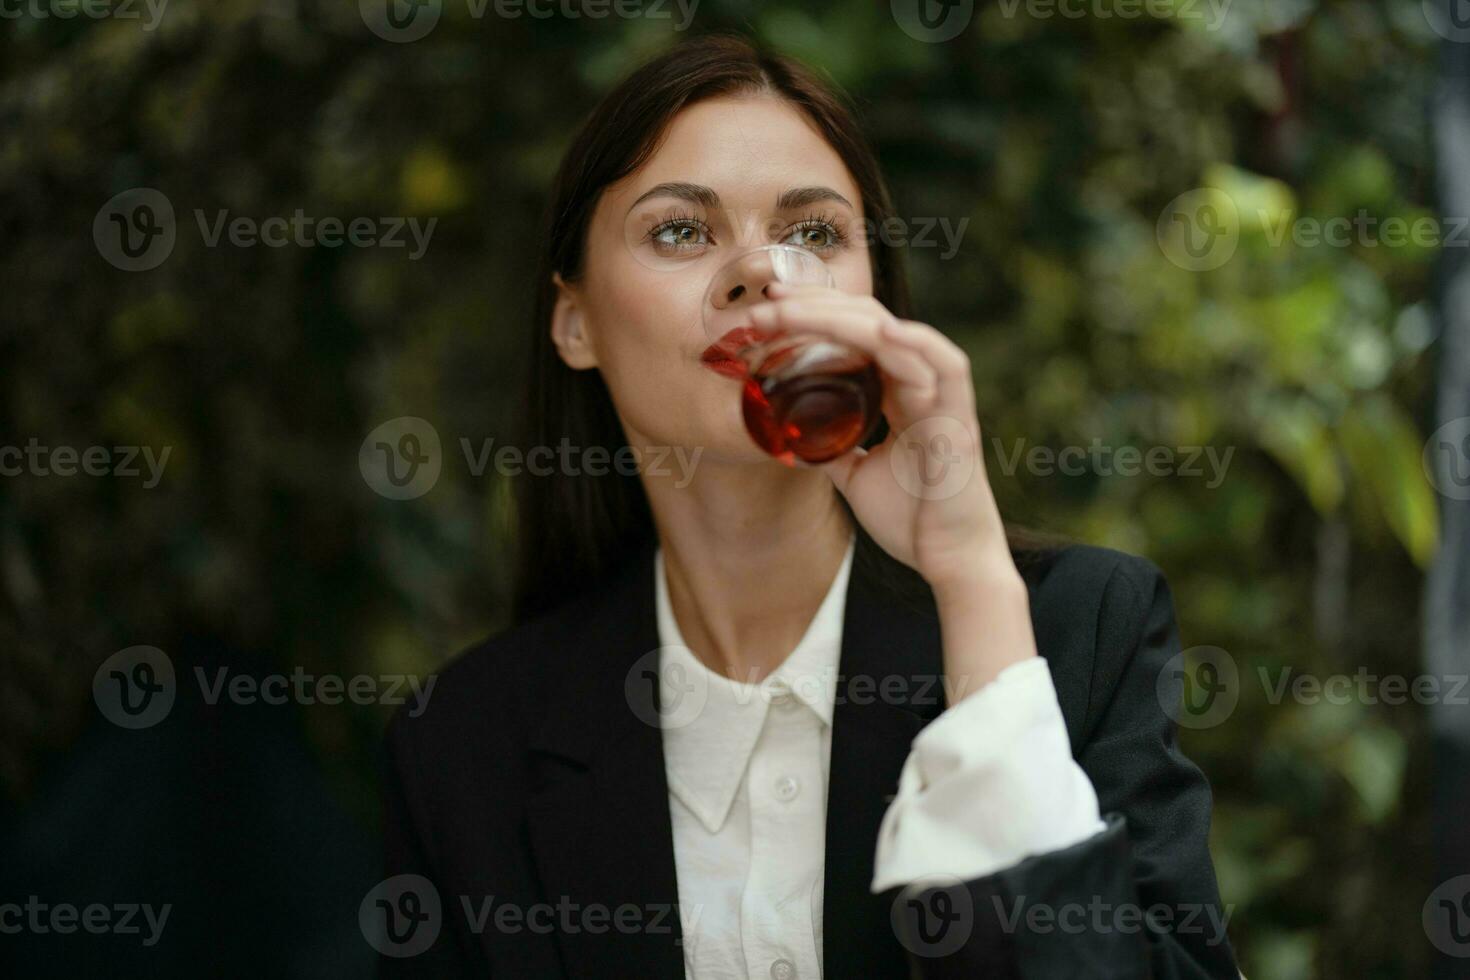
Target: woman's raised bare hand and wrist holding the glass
column 924, row 494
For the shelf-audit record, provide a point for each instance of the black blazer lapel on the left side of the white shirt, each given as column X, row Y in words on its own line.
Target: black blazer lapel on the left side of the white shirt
column 599, row 806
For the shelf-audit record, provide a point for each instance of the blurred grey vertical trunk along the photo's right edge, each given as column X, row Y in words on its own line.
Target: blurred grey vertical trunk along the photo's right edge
column 1447, row 606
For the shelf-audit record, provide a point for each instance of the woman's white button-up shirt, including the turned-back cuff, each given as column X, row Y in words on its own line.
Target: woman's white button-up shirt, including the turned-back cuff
column 987, row 784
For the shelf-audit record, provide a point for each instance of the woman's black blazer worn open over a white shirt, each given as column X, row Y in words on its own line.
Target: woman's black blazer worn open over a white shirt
column 534, row 777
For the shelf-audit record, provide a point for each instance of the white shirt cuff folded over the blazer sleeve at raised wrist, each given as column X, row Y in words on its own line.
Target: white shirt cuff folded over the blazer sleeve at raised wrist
column 986, row 785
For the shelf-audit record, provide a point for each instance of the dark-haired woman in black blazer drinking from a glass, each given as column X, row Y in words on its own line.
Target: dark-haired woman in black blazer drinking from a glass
column 758, row 721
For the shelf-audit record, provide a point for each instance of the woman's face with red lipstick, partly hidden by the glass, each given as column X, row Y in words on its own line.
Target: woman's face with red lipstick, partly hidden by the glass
column 731, row 174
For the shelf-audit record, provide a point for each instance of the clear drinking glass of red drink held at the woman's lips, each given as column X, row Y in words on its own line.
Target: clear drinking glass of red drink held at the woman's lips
column 803, row 396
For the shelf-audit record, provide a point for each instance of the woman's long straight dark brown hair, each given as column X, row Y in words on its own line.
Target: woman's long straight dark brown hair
column 571, row 531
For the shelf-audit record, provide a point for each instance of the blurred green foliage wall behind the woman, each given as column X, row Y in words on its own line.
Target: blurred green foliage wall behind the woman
column 1062, row 140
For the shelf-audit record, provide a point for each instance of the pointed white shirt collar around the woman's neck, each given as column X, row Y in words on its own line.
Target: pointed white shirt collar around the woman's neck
column 712, row 734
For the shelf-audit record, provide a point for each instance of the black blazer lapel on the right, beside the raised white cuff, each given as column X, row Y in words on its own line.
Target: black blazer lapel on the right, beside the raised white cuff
column 890, row 687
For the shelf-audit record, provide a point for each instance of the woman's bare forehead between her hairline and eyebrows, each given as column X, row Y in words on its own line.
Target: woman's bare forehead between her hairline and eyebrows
column 747, row 149
